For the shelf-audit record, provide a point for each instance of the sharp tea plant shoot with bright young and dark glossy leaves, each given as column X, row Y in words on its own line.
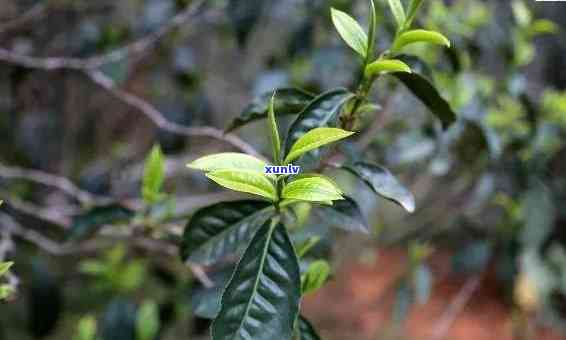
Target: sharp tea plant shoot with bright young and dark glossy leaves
column 262, row 298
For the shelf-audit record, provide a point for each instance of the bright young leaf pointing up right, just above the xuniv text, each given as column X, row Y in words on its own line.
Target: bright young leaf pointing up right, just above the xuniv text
column 314, row 139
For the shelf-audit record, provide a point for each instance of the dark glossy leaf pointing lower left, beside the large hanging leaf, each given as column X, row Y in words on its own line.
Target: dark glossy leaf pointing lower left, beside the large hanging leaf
column 221, row 229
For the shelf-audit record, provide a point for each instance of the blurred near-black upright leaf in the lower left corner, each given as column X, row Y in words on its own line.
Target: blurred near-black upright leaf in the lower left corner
column 45, row 301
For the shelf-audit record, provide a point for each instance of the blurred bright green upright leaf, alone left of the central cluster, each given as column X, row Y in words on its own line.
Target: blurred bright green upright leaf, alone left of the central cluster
column 153, row 176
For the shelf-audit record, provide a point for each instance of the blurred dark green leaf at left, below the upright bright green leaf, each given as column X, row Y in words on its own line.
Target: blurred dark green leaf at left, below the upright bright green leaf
column 89, row 222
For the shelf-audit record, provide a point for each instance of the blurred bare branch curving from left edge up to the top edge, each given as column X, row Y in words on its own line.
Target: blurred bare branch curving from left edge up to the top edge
column 139, row 46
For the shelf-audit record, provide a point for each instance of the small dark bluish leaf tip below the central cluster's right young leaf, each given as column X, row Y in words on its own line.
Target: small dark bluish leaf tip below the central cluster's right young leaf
column 346, row 214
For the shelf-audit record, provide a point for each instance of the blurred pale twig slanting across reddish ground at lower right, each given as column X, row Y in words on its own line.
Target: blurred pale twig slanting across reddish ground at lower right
column 455, row 308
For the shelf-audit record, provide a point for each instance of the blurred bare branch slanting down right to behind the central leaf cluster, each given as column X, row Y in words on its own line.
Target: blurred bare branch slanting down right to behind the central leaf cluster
column 160, row 121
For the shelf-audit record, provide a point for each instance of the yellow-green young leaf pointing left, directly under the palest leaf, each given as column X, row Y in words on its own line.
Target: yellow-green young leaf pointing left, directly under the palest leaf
column 248, row 181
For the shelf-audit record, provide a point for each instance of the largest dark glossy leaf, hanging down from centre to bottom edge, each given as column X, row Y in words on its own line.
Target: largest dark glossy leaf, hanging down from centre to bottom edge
column 261, row 302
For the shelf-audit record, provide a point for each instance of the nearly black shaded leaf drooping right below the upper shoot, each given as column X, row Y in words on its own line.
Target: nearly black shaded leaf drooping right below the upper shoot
column 428, row 95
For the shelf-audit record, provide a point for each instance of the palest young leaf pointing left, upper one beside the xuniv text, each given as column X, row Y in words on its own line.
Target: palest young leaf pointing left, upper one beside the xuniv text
column 228, row 161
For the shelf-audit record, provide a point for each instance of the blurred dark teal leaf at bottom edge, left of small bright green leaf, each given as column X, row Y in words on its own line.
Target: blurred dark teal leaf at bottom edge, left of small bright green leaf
column 119, row 321
